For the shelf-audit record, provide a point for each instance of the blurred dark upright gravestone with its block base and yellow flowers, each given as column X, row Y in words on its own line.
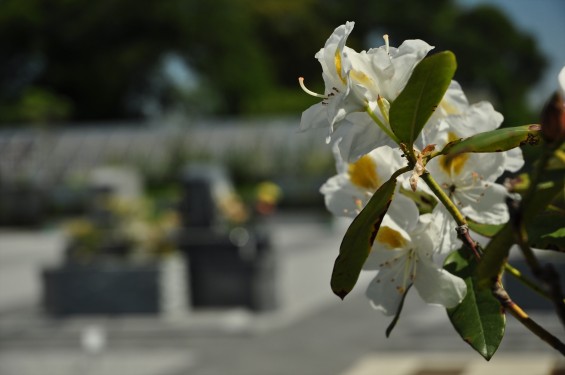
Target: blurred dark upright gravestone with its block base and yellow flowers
column 226, row 266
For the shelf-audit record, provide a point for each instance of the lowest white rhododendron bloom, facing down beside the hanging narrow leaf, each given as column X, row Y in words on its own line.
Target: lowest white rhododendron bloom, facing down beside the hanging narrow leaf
column 403, row 255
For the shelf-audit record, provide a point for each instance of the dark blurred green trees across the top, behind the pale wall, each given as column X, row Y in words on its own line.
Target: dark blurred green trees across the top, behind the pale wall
column 110, row 59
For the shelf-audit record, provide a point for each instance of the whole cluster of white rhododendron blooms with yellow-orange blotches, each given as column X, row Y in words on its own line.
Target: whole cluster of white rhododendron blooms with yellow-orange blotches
column 409, row 247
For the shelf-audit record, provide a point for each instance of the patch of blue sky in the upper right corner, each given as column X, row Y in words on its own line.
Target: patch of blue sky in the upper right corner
column 545, row 20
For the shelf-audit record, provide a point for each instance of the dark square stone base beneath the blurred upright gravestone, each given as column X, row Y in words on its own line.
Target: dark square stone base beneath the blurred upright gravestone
column 226, row 271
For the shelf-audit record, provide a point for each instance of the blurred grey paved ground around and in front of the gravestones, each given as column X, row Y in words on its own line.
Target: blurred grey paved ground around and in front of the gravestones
column 314, row 333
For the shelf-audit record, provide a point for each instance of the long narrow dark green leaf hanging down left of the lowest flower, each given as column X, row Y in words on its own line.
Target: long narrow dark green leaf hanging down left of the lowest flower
column 358, row 240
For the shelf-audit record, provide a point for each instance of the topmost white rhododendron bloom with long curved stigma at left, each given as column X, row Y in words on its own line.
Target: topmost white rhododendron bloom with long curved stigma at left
column 360, row 82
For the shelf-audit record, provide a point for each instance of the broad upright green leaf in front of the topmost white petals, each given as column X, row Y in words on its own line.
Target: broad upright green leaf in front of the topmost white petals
column 413, row 107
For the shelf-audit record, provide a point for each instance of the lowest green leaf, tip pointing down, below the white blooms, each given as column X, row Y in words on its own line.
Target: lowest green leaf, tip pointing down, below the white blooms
column 479, row 318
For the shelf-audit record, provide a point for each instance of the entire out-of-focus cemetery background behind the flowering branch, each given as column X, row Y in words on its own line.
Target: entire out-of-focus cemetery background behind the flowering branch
column 159, row 210
